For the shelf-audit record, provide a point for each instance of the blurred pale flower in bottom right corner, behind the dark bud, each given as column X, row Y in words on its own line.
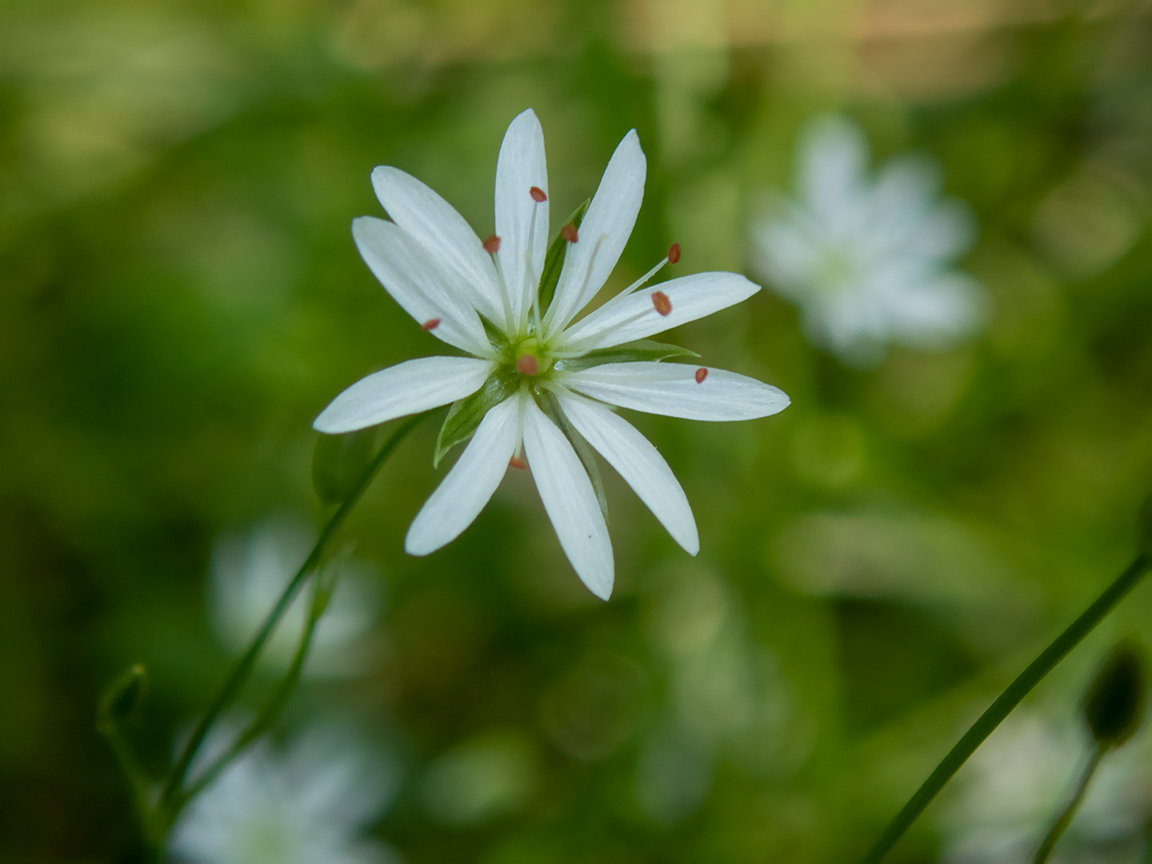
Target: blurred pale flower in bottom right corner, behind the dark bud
column 1007, row 797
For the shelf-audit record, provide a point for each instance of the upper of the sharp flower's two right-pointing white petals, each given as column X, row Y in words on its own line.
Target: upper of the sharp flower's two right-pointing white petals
column 635, row 317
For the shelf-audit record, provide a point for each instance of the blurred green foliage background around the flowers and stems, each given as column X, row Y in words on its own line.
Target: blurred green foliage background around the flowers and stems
column 180, row 297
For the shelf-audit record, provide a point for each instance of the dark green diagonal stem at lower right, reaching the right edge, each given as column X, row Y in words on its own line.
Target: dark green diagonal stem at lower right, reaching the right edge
column 1005, row 704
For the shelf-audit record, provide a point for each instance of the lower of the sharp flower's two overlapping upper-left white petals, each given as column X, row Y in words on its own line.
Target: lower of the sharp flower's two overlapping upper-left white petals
column 408, row 272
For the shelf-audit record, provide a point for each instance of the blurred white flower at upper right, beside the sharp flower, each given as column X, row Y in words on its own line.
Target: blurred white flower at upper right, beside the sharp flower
column 868, row 262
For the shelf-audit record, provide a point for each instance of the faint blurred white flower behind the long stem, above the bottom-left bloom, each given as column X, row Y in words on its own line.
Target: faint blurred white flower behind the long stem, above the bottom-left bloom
column 249, row 572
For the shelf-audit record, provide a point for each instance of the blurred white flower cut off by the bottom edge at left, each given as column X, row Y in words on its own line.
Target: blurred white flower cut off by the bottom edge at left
column 308, row 805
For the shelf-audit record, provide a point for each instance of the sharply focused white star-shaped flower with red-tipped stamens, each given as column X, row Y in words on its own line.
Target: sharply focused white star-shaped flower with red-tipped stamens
column 543, row 385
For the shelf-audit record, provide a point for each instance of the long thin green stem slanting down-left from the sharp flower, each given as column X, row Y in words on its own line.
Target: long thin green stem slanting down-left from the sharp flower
column 244, row 668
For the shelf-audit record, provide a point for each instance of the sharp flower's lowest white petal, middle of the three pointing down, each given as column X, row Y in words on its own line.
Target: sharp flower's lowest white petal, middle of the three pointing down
column 571, row 502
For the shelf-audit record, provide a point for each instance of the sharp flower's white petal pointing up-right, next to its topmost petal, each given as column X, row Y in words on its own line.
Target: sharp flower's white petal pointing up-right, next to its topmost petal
column 603, row 233
